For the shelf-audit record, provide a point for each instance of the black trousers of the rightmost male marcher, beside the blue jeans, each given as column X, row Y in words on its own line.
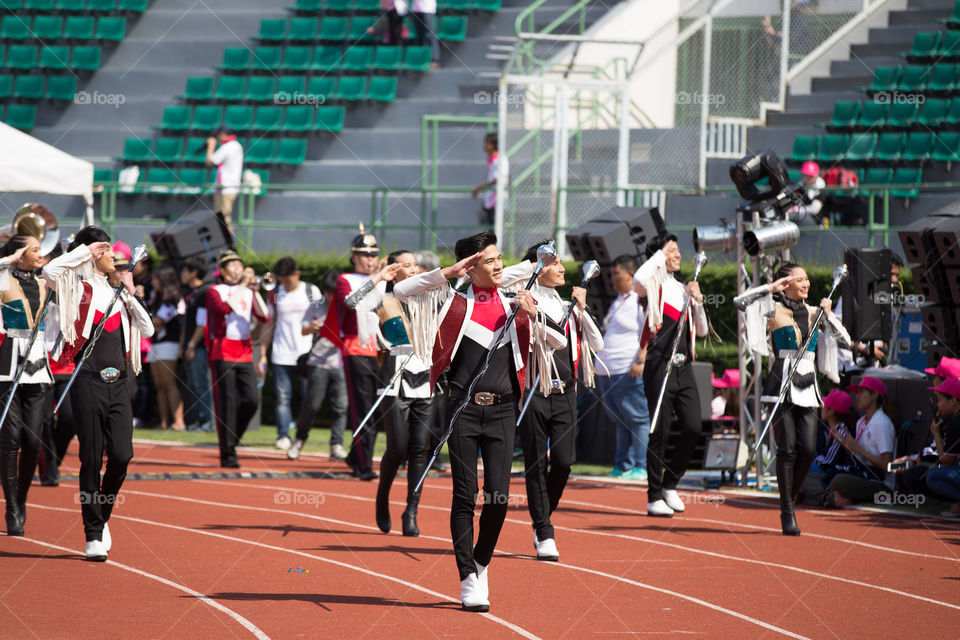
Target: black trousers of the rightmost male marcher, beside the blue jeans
column 683, row 400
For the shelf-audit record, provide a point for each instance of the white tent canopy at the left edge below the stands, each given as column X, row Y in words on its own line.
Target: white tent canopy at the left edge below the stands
column 32, row 166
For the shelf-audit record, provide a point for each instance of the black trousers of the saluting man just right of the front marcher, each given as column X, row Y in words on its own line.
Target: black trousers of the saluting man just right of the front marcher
column 552, row 418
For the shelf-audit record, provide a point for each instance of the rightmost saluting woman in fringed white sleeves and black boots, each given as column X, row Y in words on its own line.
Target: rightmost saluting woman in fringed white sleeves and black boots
column 778, row 314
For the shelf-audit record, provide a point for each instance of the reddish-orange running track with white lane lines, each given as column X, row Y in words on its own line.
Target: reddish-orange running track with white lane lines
column 211, row 558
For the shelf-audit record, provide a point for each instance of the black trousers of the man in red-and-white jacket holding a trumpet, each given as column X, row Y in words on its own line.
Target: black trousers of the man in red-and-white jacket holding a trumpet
column 235, row 404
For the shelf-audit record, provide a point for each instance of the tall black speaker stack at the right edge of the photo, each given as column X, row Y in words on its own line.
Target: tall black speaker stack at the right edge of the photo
column 931, row 246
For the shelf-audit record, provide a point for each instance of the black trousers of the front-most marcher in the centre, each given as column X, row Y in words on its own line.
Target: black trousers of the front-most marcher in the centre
column 488, row 431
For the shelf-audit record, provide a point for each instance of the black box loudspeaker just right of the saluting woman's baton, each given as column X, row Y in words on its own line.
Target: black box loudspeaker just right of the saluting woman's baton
column 866, row 294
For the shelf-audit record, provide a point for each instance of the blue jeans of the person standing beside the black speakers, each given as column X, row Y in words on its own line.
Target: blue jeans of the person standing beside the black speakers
column 626, row 404
